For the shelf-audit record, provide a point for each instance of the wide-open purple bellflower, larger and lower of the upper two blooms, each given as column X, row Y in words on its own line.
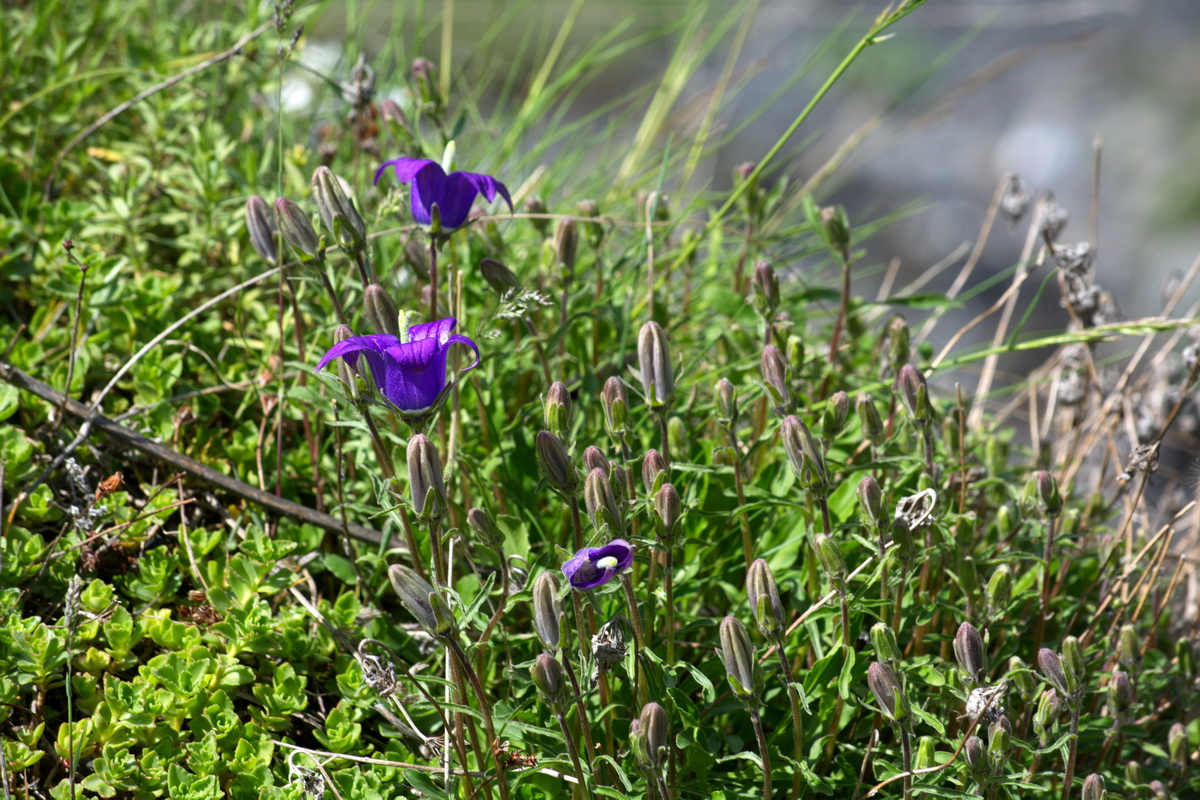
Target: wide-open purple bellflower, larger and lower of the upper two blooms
column 411, row 375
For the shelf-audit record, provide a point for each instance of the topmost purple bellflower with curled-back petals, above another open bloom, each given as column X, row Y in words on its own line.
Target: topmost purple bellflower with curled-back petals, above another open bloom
column 454, row 194
